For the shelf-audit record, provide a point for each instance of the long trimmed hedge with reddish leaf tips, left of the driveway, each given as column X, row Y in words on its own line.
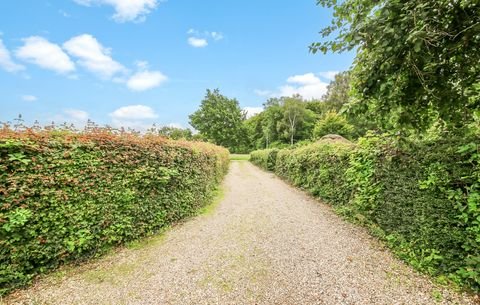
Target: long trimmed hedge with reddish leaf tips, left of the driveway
column 66, row 196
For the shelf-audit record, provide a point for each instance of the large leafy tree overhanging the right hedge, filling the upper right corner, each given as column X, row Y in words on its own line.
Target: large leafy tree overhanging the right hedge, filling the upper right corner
column 417, row 60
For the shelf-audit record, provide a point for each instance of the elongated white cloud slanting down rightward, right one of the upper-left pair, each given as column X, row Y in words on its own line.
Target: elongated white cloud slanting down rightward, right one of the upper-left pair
column 93, row 56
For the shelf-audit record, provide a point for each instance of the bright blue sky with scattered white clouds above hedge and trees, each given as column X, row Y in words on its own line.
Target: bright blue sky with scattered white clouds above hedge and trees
column 136, row 62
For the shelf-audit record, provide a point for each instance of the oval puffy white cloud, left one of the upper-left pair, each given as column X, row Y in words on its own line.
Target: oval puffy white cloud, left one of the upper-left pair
column 39, row 51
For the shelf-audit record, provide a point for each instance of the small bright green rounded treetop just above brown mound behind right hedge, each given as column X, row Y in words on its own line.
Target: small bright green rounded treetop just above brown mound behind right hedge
column 332, row 123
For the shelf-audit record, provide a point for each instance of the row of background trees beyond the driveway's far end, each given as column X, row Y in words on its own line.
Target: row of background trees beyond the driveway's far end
column 284, row 121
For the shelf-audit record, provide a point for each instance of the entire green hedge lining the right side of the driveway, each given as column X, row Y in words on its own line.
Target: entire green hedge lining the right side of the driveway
column 422, row 198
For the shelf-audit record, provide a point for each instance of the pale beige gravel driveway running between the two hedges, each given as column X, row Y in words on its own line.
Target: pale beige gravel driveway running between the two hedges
column 265, row 243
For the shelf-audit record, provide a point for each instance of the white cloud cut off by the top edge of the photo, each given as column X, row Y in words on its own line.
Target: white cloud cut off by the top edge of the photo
column 125, row 10
